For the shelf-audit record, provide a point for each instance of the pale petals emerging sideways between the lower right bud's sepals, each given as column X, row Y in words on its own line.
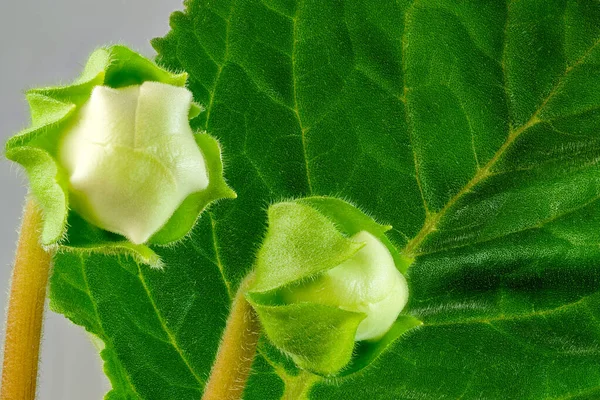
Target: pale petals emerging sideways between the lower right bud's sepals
column 368, row 282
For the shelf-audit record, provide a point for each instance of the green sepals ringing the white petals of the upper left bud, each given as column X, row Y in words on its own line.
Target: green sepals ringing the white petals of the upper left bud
column 36, row 149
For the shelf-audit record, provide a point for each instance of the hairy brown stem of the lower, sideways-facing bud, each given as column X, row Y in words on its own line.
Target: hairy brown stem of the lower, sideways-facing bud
column 236, row 352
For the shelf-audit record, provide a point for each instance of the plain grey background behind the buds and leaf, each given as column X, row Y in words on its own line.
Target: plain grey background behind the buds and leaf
column 46, row 42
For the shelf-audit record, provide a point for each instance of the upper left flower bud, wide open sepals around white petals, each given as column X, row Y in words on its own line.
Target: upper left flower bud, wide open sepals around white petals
column 117, row 150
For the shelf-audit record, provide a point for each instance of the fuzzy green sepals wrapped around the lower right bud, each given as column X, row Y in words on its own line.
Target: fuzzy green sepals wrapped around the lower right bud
column 288, row 255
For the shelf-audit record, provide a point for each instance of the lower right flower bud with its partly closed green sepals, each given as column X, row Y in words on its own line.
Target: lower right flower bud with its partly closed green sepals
column 327, row 277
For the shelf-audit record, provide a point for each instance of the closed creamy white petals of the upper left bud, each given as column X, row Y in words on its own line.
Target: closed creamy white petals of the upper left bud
column 131, row 158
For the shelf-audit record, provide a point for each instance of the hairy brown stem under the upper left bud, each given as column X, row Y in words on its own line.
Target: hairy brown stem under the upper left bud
column 25, row 310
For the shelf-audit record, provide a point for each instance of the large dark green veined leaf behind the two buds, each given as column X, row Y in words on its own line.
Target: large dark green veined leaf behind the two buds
column 471, row 127
